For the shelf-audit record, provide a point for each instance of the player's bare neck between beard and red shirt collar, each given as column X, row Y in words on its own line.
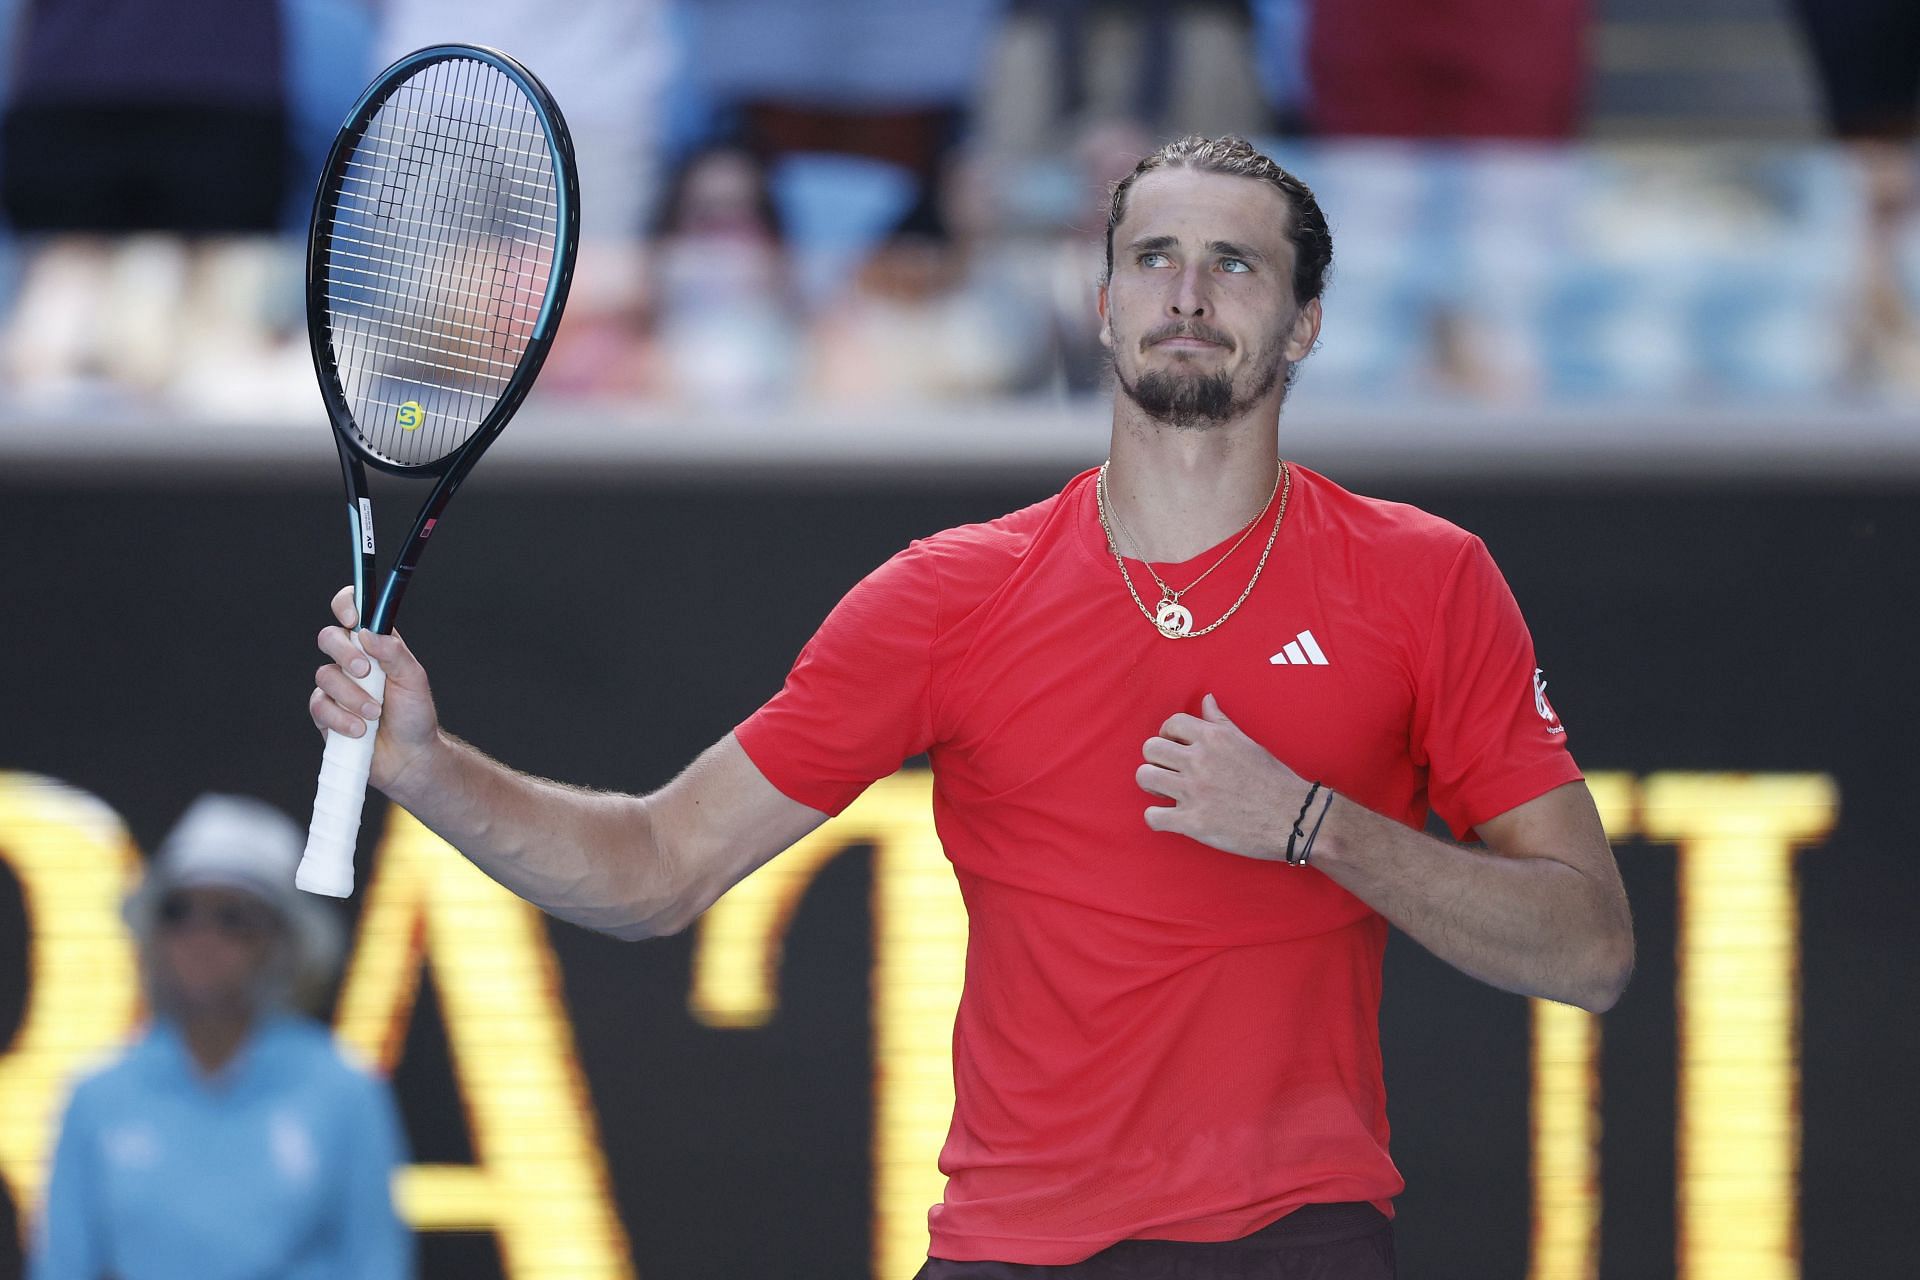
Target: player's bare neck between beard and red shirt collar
column 1180, row 492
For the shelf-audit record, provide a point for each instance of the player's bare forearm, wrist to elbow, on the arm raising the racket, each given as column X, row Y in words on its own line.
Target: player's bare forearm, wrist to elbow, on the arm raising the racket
column 585, row 857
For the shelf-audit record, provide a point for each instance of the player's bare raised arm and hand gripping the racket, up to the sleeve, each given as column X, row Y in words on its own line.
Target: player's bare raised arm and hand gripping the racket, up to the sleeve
column 631, row 866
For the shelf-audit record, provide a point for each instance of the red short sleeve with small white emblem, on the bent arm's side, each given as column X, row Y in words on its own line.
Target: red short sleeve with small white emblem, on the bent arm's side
column 1483, row 728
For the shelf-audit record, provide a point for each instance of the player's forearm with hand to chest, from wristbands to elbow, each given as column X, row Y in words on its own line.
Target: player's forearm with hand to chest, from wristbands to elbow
column 1529, row 924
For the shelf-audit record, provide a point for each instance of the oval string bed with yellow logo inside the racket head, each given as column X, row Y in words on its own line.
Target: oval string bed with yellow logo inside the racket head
column 439, row 256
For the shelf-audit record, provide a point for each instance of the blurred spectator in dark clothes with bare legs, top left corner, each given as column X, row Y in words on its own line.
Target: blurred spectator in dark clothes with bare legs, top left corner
column 128, row 116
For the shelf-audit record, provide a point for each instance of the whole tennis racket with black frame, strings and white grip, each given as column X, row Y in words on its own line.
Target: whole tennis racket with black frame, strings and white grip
column 439, row 262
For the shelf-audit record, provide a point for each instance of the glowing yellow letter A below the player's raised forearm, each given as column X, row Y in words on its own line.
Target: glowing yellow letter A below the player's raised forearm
column 540, row 1183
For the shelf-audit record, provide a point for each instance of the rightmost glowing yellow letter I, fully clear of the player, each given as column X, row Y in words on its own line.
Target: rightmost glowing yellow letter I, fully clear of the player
column 1739, row 1001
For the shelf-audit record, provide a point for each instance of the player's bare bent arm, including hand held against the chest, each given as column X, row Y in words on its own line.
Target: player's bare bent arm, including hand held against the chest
column 1539, row 911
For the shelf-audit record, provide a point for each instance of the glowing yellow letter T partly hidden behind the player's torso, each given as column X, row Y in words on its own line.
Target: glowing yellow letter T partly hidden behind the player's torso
column 919, row 964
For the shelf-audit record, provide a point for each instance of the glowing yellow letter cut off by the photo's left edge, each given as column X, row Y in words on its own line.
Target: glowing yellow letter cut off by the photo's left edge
column 74, row 863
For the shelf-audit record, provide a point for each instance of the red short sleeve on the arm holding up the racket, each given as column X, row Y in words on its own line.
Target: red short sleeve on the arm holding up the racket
column 859, row 698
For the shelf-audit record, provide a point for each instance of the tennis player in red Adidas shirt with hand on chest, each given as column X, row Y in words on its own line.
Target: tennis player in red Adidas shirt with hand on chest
column 1166, row 1058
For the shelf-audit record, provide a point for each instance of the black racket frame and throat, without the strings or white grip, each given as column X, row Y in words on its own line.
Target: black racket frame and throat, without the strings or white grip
column 450, row 469
